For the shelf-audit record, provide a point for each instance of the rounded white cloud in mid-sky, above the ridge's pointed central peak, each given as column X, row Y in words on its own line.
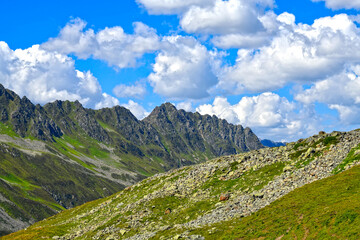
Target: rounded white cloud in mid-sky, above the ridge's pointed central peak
column 182, row 69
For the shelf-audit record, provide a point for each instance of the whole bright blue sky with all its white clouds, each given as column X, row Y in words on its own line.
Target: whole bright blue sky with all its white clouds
column 287, row 69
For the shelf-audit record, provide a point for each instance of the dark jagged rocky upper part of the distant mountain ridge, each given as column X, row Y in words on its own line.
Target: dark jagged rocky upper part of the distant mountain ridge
column 186, row 133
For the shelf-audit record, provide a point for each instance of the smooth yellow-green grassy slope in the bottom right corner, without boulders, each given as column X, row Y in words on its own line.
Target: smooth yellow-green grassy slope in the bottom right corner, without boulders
column 326, row 209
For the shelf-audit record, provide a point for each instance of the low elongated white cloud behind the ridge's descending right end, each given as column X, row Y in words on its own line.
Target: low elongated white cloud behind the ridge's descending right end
column 268, row 114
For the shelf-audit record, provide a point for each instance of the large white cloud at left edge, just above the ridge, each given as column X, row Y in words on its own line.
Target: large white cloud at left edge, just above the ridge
column 47, row 76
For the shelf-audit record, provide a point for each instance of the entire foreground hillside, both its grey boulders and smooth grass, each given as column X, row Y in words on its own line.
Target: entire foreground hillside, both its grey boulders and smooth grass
column 306, row 189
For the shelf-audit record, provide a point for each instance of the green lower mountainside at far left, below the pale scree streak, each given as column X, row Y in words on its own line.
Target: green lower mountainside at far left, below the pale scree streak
column 38, row 184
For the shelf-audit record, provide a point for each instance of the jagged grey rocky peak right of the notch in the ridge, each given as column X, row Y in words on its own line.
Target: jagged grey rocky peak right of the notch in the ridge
column 187, row 132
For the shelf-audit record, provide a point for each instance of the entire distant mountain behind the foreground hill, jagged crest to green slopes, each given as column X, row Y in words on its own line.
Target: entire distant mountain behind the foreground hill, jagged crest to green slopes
column 62, row 155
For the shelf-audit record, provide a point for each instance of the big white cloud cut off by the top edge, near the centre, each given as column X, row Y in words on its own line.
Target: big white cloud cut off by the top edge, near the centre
column 217, row 17
